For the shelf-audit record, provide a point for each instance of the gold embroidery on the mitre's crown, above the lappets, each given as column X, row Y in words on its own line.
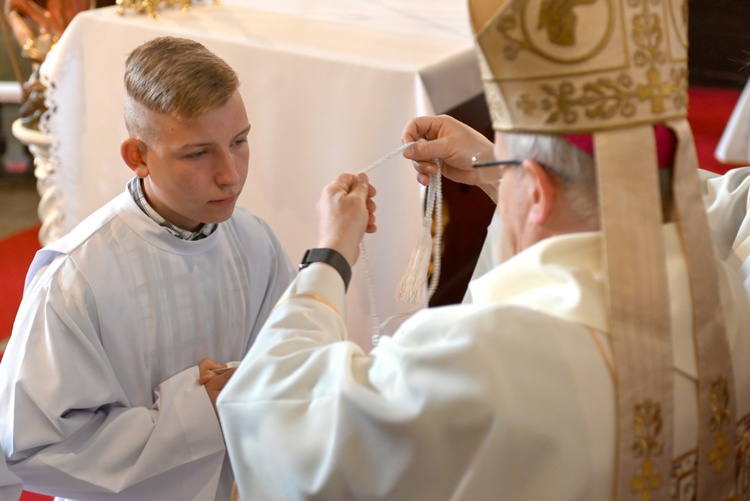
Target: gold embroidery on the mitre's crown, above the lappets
column 645, row 85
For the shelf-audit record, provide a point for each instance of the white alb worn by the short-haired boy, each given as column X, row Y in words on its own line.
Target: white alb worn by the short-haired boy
column 99, row 384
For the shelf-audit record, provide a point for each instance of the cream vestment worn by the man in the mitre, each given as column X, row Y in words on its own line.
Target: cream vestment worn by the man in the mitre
column 510, row 397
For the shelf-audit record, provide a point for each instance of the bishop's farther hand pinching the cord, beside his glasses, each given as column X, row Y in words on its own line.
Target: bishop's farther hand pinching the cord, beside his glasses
column 448, row 140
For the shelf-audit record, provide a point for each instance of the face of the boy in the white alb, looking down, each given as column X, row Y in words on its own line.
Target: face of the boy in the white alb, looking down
column 195, row 169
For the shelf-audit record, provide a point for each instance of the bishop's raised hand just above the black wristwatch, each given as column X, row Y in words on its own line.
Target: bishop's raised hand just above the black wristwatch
column 346, row 212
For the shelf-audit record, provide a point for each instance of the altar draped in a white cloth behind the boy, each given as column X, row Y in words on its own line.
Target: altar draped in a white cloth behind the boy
column 328, row 84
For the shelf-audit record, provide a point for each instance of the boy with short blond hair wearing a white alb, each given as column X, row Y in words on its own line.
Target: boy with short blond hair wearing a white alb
column 121, row 317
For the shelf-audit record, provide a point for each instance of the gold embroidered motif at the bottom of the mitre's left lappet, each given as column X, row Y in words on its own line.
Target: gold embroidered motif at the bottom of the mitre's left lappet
column 648, row 445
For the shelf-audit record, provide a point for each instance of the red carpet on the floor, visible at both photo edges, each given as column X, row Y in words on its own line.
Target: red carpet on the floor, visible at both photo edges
column 708, row 112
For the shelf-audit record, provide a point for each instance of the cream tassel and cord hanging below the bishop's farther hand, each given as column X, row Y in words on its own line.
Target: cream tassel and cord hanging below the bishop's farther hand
column 413, row 284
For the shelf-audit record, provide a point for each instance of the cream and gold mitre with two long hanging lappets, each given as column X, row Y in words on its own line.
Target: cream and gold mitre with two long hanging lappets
column 613, row 68
